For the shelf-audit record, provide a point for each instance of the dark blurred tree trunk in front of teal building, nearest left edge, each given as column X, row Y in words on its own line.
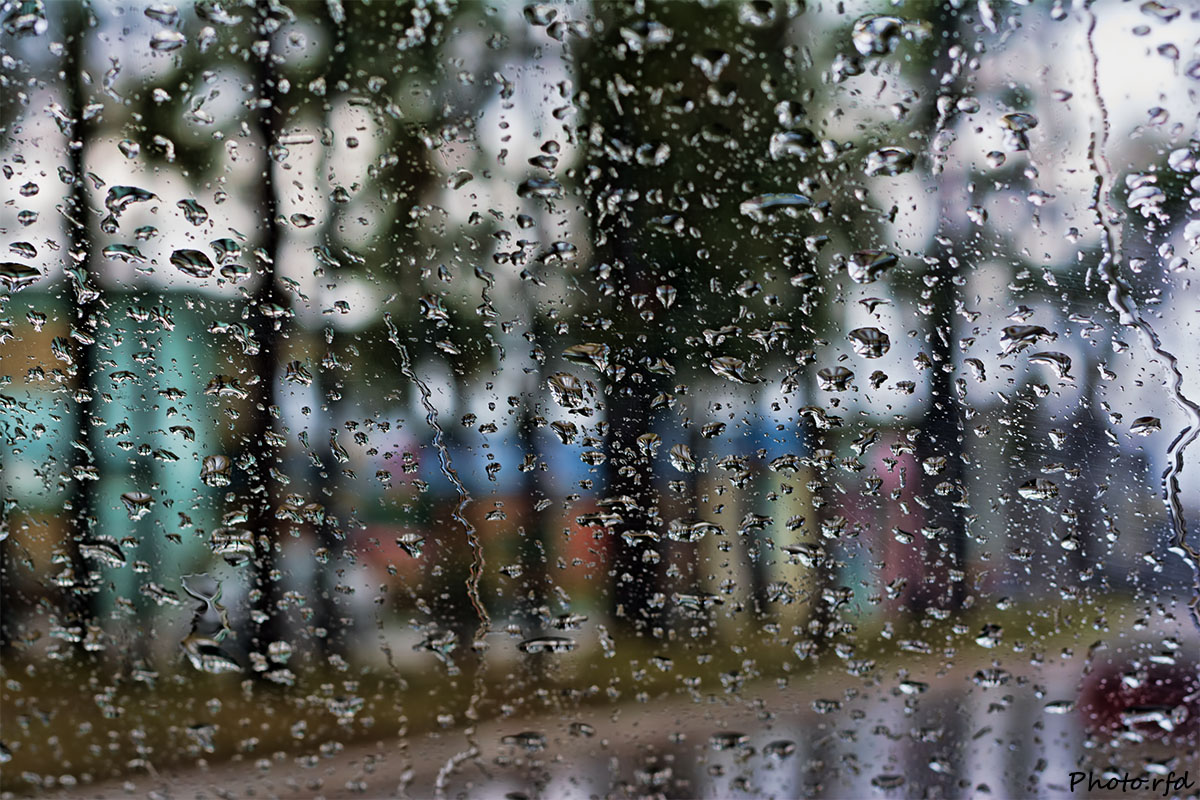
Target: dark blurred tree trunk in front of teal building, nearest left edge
column 86, row 312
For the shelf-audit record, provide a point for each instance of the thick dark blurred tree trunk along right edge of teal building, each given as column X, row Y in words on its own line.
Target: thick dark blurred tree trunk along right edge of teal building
column 267, row 615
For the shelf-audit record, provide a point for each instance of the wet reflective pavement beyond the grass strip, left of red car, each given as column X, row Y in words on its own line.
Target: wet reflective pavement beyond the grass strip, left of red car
column 849, row 738
